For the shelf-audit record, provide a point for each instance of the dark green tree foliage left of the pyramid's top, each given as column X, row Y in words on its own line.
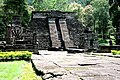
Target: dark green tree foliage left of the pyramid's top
column 15, row 8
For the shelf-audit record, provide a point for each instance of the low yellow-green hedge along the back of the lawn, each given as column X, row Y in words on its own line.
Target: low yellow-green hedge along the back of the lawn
column 16, row 55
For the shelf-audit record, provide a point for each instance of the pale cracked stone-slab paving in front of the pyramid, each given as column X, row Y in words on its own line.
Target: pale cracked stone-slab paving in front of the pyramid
column 67, row 66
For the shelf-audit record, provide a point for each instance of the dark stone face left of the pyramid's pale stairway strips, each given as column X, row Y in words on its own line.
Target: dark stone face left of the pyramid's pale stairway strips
column 40, row 26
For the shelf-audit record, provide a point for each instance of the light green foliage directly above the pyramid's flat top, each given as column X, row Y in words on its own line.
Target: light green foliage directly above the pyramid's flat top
column 50, row 5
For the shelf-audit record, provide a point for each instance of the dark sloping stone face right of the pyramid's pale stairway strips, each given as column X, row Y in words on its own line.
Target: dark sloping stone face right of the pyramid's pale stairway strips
column 75, row 31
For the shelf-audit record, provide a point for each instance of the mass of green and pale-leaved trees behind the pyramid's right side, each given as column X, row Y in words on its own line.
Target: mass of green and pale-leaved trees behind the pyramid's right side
column 93, row 14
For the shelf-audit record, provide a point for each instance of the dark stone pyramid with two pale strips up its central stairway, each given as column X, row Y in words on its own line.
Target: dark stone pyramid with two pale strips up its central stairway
column 58, row 30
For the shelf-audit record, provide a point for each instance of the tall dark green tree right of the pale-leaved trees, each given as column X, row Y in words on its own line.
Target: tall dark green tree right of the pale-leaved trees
column 101, row 16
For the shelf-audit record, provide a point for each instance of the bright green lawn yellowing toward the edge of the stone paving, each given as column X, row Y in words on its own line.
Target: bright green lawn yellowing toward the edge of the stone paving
column 17, row 70
